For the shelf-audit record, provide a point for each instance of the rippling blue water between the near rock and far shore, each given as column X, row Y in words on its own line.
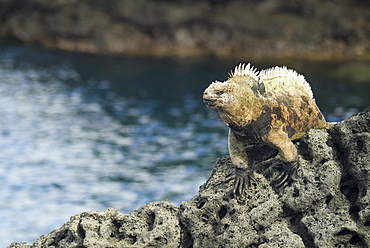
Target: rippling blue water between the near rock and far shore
column 82, row 132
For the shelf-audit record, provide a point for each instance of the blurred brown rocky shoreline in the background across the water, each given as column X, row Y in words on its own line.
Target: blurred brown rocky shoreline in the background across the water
column 266, row 29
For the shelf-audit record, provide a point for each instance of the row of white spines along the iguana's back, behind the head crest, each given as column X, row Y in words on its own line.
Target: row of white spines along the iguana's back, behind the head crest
column 275, row 72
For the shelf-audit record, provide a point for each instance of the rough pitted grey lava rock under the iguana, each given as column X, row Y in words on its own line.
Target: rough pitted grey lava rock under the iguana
column 328, row 205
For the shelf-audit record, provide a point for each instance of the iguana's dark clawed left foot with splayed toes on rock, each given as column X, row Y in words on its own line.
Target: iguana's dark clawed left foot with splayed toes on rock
column 242, row 177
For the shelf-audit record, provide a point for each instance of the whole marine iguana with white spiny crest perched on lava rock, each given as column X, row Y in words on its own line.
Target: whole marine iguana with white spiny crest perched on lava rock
column 271, row 107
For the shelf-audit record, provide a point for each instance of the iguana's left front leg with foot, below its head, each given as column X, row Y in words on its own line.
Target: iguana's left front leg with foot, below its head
column 243, row 173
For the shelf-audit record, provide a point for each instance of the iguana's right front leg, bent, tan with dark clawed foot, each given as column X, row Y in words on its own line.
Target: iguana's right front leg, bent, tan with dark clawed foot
column 288, row 153
